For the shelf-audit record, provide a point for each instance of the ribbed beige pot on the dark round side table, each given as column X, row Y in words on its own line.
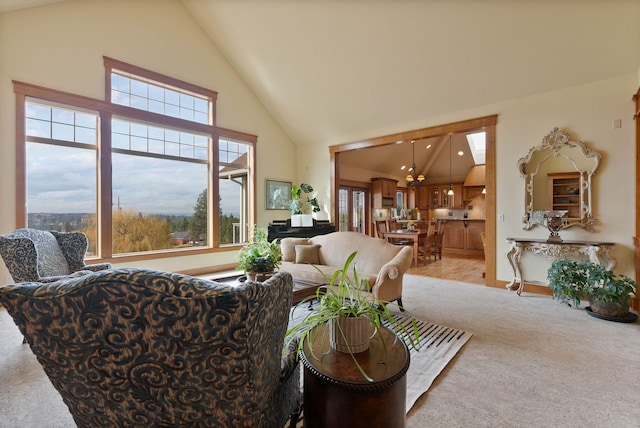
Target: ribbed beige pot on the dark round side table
column 350, row 334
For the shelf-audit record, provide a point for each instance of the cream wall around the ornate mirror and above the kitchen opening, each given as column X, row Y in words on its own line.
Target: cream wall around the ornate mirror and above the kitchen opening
column 587, row 112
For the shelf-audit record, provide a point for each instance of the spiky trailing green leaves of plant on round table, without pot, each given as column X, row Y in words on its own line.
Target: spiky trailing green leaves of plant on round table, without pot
column 344, row 298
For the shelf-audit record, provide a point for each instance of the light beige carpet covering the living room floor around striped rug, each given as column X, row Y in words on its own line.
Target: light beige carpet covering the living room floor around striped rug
column 532, row 363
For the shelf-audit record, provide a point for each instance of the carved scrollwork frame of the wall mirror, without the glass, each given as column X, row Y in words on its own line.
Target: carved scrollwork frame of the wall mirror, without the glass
column 555, row 142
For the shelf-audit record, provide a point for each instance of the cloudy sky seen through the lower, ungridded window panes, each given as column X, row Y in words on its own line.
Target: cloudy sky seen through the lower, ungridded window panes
column 63, row 180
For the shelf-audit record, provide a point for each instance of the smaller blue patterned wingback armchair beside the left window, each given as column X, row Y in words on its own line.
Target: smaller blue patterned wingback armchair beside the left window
column 33, row 255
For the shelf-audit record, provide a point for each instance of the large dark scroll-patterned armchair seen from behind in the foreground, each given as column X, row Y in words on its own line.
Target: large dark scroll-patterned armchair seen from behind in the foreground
column 135, row 347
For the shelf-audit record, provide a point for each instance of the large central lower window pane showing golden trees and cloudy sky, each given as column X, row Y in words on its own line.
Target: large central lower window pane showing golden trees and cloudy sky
column 153, row 199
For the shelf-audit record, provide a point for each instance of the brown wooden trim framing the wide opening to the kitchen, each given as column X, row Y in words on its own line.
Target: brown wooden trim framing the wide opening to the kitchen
column 486, row 124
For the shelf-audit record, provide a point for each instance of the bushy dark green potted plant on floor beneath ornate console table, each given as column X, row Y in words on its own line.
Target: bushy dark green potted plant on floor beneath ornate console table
column 608, row 293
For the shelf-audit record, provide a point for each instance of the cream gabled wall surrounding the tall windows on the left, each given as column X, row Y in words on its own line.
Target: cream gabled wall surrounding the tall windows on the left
column 61, row 46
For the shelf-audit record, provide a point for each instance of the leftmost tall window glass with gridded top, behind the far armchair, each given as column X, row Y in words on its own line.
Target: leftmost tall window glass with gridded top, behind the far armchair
column 61, row 180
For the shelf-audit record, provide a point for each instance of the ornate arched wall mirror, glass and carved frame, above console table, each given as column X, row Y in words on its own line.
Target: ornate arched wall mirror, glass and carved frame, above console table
column 557, row 176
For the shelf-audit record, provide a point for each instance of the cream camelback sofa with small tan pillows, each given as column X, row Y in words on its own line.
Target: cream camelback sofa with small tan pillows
column 378, row 261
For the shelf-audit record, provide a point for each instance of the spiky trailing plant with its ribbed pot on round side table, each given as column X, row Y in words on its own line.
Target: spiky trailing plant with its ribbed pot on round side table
column 352, row 315
